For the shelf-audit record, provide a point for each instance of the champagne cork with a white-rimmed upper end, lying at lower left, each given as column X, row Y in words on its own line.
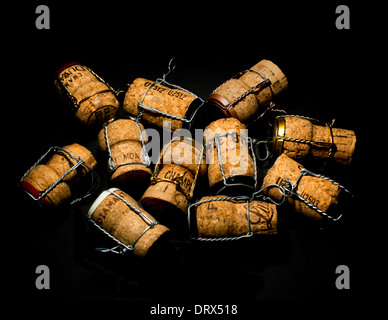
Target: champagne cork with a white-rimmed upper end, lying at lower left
column 113, row 215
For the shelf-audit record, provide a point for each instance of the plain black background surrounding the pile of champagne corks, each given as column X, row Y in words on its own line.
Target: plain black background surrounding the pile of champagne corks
column 330, row 74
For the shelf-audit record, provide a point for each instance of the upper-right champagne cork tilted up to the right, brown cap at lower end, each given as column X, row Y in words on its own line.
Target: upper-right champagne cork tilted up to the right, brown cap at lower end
column 243, row 97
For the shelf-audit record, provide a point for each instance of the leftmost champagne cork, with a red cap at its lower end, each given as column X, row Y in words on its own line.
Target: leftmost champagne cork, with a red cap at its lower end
column 42, row 177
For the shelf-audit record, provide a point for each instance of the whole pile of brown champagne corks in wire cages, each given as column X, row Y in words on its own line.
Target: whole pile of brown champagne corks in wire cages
column 240, row 205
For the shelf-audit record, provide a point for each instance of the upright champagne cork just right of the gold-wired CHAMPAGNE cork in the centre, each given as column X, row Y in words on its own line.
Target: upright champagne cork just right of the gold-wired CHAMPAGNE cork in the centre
column 236, row 160
